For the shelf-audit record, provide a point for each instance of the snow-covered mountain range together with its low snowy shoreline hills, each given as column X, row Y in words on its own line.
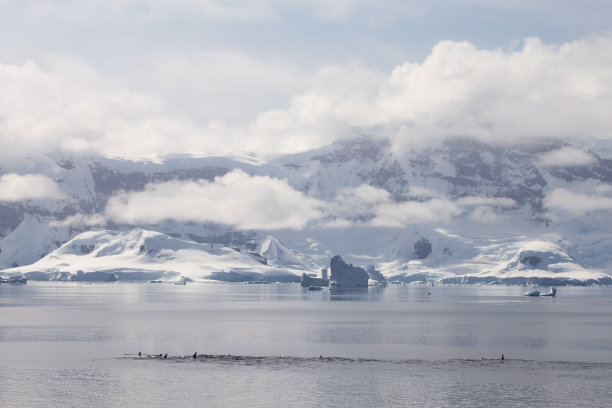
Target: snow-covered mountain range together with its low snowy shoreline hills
column 453, row 210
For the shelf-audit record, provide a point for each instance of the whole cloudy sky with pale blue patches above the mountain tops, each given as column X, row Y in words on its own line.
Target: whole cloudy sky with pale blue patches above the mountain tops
column 145, row 78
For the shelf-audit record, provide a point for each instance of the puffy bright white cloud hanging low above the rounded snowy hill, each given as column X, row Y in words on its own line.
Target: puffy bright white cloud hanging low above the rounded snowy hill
column 247, row 202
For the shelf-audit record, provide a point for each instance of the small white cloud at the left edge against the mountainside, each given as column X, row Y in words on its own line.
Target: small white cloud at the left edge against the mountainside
column 16, row 187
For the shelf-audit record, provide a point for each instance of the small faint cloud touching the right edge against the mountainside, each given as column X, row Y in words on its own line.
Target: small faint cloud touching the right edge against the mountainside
column 576, row 203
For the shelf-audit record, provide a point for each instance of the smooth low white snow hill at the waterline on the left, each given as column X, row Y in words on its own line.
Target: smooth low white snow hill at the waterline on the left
column 145, row 255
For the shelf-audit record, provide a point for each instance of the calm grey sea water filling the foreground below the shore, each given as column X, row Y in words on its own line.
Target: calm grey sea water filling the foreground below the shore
column 279, row 345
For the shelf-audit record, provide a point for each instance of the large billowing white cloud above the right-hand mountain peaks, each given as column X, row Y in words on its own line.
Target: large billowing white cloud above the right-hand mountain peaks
column 495, row 95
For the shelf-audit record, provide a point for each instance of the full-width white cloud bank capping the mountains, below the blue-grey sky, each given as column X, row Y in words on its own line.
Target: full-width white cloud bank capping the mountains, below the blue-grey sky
column 537, row 90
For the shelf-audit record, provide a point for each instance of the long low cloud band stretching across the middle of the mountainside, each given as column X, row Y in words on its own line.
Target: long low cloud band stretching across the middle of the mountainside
column 265, row 203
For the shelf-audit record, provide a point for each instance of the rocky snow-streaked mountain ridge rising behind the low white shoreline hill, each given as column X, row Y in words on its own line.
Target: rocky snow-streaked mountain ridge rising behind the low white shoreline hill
column 374, row 202
